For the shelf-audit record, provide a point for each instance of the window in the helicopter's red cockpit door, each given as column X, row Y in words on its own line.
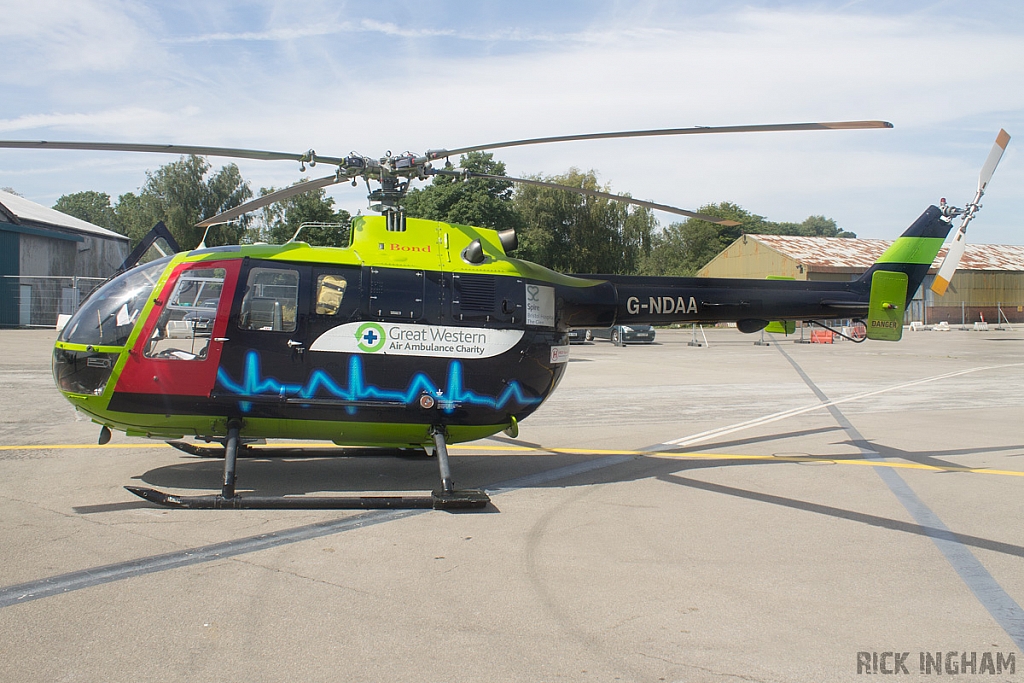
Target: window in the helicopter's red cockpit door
column 185, row 327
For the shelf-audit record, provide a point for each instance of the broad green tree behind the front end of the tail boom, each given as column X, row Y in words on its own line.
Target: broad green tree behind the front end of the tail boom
column 580, row 234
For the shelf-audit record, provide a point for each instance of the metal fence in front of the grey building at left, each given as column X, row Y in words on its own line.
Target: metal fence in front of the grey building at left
column 35, row 302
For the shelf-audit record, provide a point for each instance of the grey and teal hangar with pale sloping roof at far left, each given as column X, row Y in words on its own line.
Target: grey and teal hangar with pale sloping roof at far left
column 50, row 261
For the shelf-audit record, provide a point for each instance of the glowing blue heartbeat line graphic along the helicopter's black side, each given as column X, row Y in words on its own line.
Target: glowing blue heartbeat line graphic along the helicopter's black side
column 253, row 385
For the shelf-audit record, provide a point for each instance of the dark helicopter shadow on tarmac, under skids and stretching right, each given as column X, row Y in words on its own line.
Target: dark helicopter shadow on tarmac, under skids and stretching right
column 397, row 471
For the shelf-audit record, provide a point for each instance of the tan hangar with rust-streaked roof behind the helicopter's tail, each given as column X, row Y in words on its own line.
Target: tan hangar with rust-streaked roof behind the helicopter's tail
column 990, row 283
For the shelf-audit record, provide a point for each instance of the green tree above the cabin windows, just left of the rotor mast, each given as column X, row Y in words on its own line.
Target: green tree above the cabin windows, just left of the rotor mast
column 282, row 220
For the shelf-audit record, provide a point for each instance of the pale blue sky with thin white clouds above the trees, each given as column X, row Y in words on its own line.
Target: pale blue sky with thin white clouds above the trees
column 340, row 77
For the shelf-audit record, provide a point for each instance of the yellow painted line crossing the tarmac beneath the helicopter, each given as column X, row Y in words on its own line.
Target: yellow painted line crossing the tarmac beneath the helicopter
column 483, row 451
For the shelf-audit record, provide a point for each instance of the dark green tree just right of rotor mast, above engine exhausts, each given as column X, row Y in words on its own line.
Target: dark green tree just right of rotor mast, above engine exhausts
column 480, row 202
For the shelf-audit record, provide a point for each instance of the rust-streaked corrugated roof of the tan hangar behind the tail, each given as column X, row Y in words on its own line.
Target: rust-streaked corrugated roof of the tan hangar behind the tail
column 831, row 254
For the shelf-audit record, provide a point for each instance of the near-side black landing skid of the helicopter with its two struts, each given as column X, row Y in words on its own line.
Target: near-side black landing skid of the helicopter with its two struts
column 446, row 498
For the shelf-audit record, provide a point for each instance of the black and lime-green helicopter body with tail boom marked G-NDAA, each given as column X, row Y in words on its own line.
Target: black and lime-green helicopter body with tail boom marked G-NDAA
column 375, row 344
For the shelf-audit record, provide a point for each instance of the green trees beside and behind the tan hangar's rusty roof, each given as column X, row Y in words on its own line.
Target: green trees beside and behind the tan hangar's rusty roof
column 682, row 249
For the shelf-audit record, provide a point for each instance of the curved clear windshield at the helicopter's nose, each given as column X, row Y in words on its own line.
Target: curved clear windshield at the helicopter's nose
column 108, row 317
